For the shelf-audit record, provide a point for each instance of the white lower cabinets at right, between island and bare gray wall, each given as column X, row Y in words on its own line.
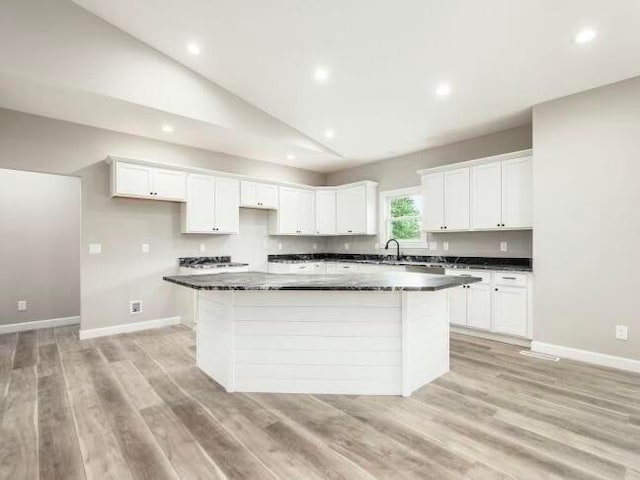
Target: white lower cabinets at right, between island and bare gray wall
column 499, row 303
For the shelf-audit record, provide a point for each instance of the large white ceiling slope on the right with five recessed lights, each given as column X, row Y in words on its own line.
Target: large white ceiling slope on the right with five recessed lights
column 387, row 57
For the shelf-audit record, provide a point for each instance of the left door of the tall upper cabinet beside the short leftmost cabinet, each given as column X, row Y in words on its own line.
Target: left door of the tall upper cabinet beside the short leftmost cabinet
column 200, row 208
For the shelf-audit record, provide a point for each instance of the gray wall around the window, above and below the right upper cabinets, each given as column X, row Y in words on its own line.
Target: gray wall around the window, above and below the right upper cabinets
column 400, row 172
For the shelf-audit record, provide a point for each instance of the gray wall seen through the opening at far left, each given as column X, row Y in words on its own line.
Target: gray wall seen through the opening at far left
column 39, row 246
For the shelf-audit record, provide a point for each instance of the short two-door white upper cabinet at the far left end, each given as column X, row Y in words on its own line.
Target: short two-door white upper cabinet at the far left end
column 141, row 181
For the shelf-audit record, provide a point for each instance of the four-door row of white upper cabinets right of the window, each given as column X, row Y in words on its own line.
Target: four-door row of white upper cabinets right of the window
column 485, row 194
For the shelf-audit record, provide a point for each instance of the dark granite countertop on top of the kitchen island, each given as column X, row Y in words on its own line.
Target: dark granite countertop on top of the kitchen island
column 385, row 281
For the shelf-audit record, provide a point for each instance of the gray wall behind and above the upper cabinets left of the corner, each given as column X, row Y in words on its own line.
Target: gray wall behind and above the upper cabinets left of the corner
column 122, row 272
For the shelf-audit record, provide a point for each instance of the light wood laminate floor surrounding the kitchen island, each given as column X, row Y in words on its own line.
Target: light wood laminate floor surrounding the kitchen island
column 135, row 406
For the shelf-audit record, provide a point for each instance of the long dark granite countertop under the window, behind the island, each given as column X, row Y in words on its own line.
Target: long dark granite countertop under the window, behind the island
column 477, row 263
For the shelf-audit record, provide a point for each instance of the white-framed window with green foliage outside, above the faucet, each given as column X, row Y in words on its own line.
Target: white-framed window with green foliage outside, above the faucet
column 402, row 217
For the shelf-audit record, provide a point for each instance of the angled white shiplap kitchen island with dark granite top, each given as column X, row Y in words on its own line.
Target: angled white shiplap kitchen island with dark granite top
column 361, row 334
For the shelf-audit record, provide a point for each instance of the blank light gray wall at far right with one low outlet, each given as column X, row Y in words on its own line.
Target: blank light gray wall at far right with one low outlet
column 587, row 236
